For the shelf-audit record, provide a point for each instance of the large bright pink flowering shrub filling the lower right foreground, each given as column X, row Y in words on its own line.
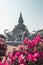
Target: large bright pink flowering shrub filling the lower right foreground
column 28, row 53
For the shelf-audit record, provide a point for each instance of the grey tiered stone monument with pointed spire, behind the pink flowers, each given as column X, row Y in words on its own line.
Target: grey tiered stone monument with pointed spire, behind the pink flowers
column 19, row 32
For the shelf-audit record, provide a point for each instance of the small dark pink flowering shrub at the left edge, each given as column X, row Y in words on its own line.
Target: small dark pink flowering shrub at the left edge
column 3, row 48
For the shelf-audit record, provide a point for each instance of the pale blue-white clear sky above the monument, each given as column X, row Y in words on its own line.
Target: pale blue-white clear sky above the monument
column 32, row 12
